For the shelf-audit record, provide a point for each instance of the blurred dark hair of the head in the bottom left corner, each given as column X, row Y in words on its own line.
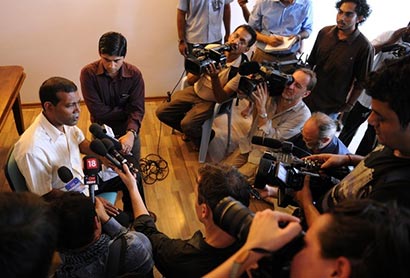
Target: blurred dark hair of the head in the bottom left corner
column 28, row 235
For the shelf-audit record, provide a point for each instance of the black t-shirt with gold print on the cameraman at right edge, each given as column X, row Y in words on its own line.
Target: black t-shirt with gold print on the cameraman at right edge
column 380, row 176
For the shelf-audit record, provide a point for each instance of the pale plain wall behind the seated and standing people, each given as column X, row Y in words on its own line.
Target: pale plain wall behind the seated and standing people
column 58, row 37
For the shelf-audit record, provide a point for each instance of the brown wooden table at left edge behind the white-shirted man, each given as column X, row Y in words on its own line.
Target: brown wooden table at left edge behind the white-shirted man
column 11, row 80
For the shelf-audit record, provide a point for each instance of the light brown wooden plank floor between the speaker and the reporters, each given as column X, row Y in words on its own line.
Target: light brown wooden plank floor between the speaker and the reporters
column 172, row 198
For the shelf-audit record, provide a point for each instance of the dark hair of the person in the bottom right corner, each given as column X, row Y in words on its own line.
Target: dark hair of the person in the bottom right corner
column 374, row 237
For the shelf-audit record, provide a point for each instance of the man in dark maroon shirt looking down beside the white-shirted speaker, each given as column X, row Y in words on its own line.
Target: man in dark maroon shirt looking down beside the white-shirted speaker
column 114, row 92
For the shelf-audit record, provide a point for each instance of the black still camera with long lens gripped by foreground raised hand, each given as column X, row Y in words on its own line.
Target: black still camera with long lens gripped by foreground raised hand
column 235, row 218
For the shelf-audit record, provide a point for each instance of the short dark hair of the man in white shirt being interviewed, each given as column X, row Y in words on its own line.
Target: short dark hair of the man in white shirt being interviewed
column 50, row 88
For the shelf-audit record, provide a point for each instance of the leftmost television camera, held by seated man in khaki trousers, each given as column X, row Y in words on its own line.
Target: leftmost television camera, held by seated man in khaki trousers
column 200, row 58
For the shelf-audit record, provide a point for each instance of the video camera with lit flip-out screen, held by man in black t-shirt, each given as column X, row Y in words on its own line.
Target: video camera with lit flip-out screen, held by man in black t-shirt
column 280, row 168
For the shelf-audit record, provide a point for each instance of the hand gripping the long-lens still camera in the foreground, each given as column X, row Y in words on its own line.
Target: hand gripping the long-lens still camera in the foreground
column 265, row 231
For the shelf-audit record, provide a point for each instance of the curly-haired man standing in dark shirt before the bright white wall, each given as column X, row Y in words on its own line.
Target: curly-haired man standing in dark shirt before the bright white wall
column 341, row 58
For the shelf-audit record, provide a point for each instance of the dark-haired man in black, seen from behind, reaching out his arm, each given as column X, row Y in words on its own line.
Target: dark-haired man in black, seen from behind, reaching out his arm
column 201, row 253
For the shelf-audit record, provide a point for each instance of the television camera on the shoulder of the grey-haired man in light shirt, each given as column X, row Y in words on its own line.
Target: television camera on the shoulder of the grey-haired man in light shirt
column 254, row 74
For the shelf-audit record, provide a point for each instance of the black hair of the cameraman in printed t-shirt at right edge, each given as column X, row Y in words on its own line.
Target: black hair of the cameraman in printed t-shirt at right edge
column 391, row 84
